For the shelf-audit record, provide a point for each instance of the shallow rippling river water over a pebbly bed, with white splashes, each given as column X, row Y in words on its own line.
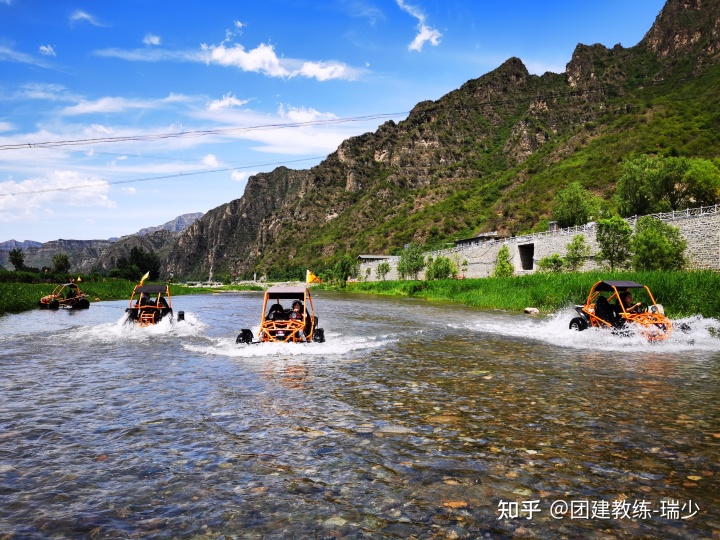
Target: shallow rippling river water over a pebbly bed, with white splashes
column 413, row 420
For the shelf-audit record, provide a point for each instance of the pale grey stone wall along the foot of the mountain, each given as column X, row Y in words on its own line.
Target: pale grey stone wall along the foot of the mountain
column 699, row 226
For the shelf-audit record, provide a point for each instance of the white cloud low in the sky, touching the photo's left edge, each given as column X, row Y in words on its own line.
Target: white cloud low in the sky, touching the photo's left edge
column 25, row 200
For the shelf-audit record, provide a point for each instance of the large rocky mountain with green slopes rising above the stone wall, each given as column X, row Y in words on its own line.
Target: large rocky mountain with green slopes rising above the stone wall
column 489, row 156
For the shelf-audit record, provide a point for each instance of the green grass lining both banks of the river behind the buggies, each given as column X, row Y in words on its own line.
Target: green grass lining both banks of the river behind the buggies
column 683, row 294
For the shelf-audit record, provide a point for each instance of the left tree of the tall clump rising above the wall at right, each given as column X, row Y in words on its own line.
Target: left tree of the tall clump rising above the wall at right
column 636, row 189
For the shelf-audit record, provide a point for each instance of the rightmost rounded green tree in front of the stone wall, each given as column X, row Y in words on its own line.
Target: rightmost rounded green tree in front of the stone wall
column 657, row 246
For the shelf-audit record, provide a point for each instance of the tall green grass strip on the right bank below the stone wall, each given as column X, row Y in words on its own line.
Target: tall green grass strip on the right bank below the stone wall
column 682, row 294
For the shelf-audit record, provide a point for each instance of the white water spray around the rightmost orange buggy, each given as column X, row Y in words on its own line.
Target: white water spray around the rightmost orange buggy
column 702, row 334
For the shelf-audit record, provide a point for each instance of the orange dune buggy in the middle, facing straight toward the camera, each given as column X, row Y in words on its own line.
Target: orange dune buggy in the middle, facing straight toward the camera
column 281, row 323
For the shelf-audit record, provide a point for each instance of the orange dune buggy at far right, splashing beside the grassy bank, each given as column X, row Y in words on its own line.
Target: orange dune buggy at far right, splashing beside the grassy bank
column 606, row 307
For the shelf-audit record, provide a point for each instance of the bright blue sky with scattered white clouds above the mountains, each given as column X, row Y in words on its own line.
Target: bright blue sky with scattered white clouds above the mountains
column 124, row 114
